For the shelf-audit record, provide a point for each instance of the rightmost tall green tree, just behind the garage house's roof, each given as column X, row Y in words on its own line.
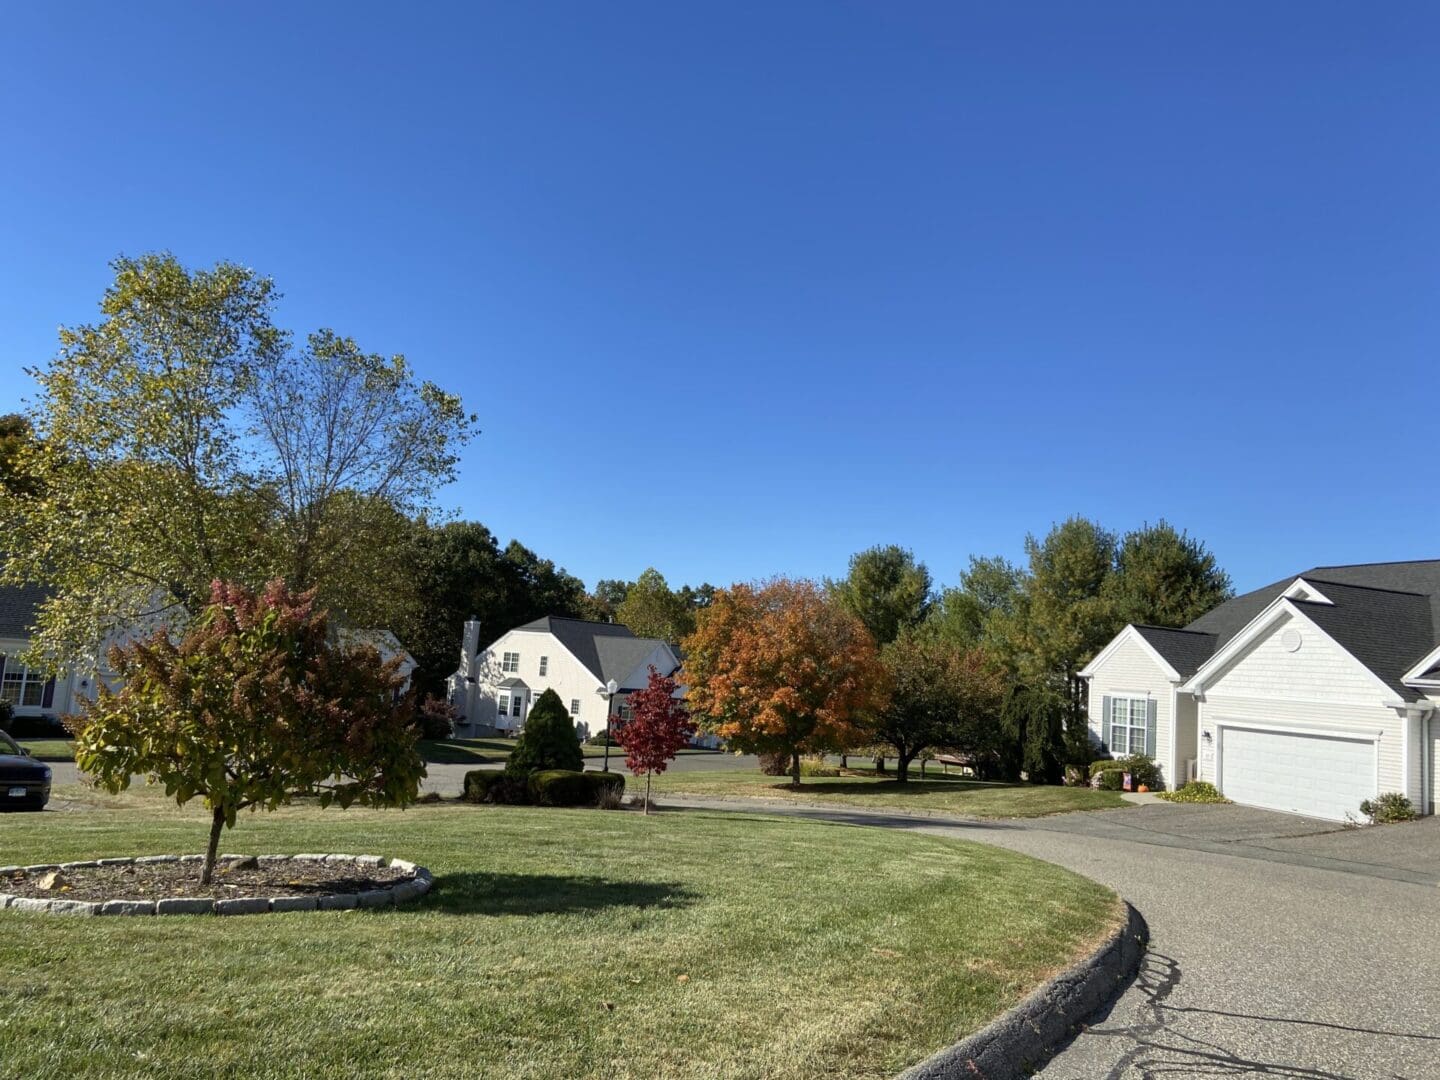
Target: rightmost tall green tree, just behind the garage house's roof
column 1166, row 578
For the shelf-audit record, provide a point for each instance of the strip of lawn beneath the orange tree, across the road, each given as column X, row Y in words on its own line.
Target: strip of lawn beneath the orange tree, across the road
column 968, row 798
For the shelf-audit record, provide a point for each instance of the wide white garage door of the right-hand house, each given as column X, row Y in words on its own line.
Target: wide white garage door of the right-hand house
column 1321, row 777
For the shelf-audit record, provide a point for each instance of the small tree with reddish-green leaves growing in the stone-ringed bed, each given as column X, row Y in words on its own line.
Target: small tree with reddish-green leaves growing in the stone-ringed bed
column 256, row 706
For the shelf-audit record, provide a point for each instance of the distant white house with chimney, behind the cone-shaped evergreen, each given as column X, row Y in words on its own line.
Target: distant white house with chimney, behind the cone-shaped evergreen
column 496, row 688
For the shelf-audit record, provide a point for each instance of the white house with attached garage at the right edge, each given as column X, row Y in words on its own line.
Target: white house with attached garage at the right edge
column 1307, row 696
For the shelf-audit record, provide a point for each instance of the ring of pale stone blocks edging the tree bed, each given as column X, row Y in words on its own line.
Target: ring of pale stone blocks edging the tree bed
column 400, row 894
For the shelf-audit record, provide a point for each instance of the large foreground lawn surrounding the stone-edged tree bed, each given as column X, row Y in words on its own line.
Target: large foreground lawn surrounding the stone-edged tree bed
column 557, row 944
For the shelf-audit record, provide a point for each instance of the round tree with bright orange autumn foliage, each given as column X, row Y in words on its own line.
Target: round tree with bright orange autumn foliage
column 783, row 669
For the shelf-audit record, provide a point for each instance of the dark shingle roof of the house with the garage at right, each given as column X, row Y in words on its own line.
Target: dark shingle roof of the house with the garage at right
column 1387, row 616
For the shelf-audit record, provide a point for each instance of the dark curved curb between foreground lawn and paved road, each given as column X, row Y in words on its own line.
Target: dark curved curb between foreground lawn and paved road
column 1016, row 1045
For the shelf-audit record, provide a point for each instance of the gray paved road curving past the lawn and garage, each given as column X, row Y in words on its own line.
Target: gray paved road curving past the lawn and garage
column 1279, row 947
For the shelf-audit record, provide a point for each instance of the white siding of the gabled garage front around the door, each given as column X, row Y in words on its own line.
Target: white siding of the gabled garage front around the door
column 1318, row 688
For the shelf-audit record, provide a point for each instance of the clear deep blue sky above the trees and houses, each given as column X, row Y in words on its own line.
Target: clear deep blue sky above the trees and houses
column 739, row 289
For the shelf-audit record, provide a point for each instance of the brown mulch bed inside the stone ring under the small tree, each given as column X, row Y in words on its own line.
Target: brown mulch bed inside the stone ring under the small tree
column 161, row 881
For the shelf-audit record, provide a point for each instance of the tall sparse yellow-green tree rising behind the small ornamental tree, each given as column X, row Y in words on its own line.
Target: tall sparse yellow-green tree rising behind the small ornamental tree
column 182, row 440
